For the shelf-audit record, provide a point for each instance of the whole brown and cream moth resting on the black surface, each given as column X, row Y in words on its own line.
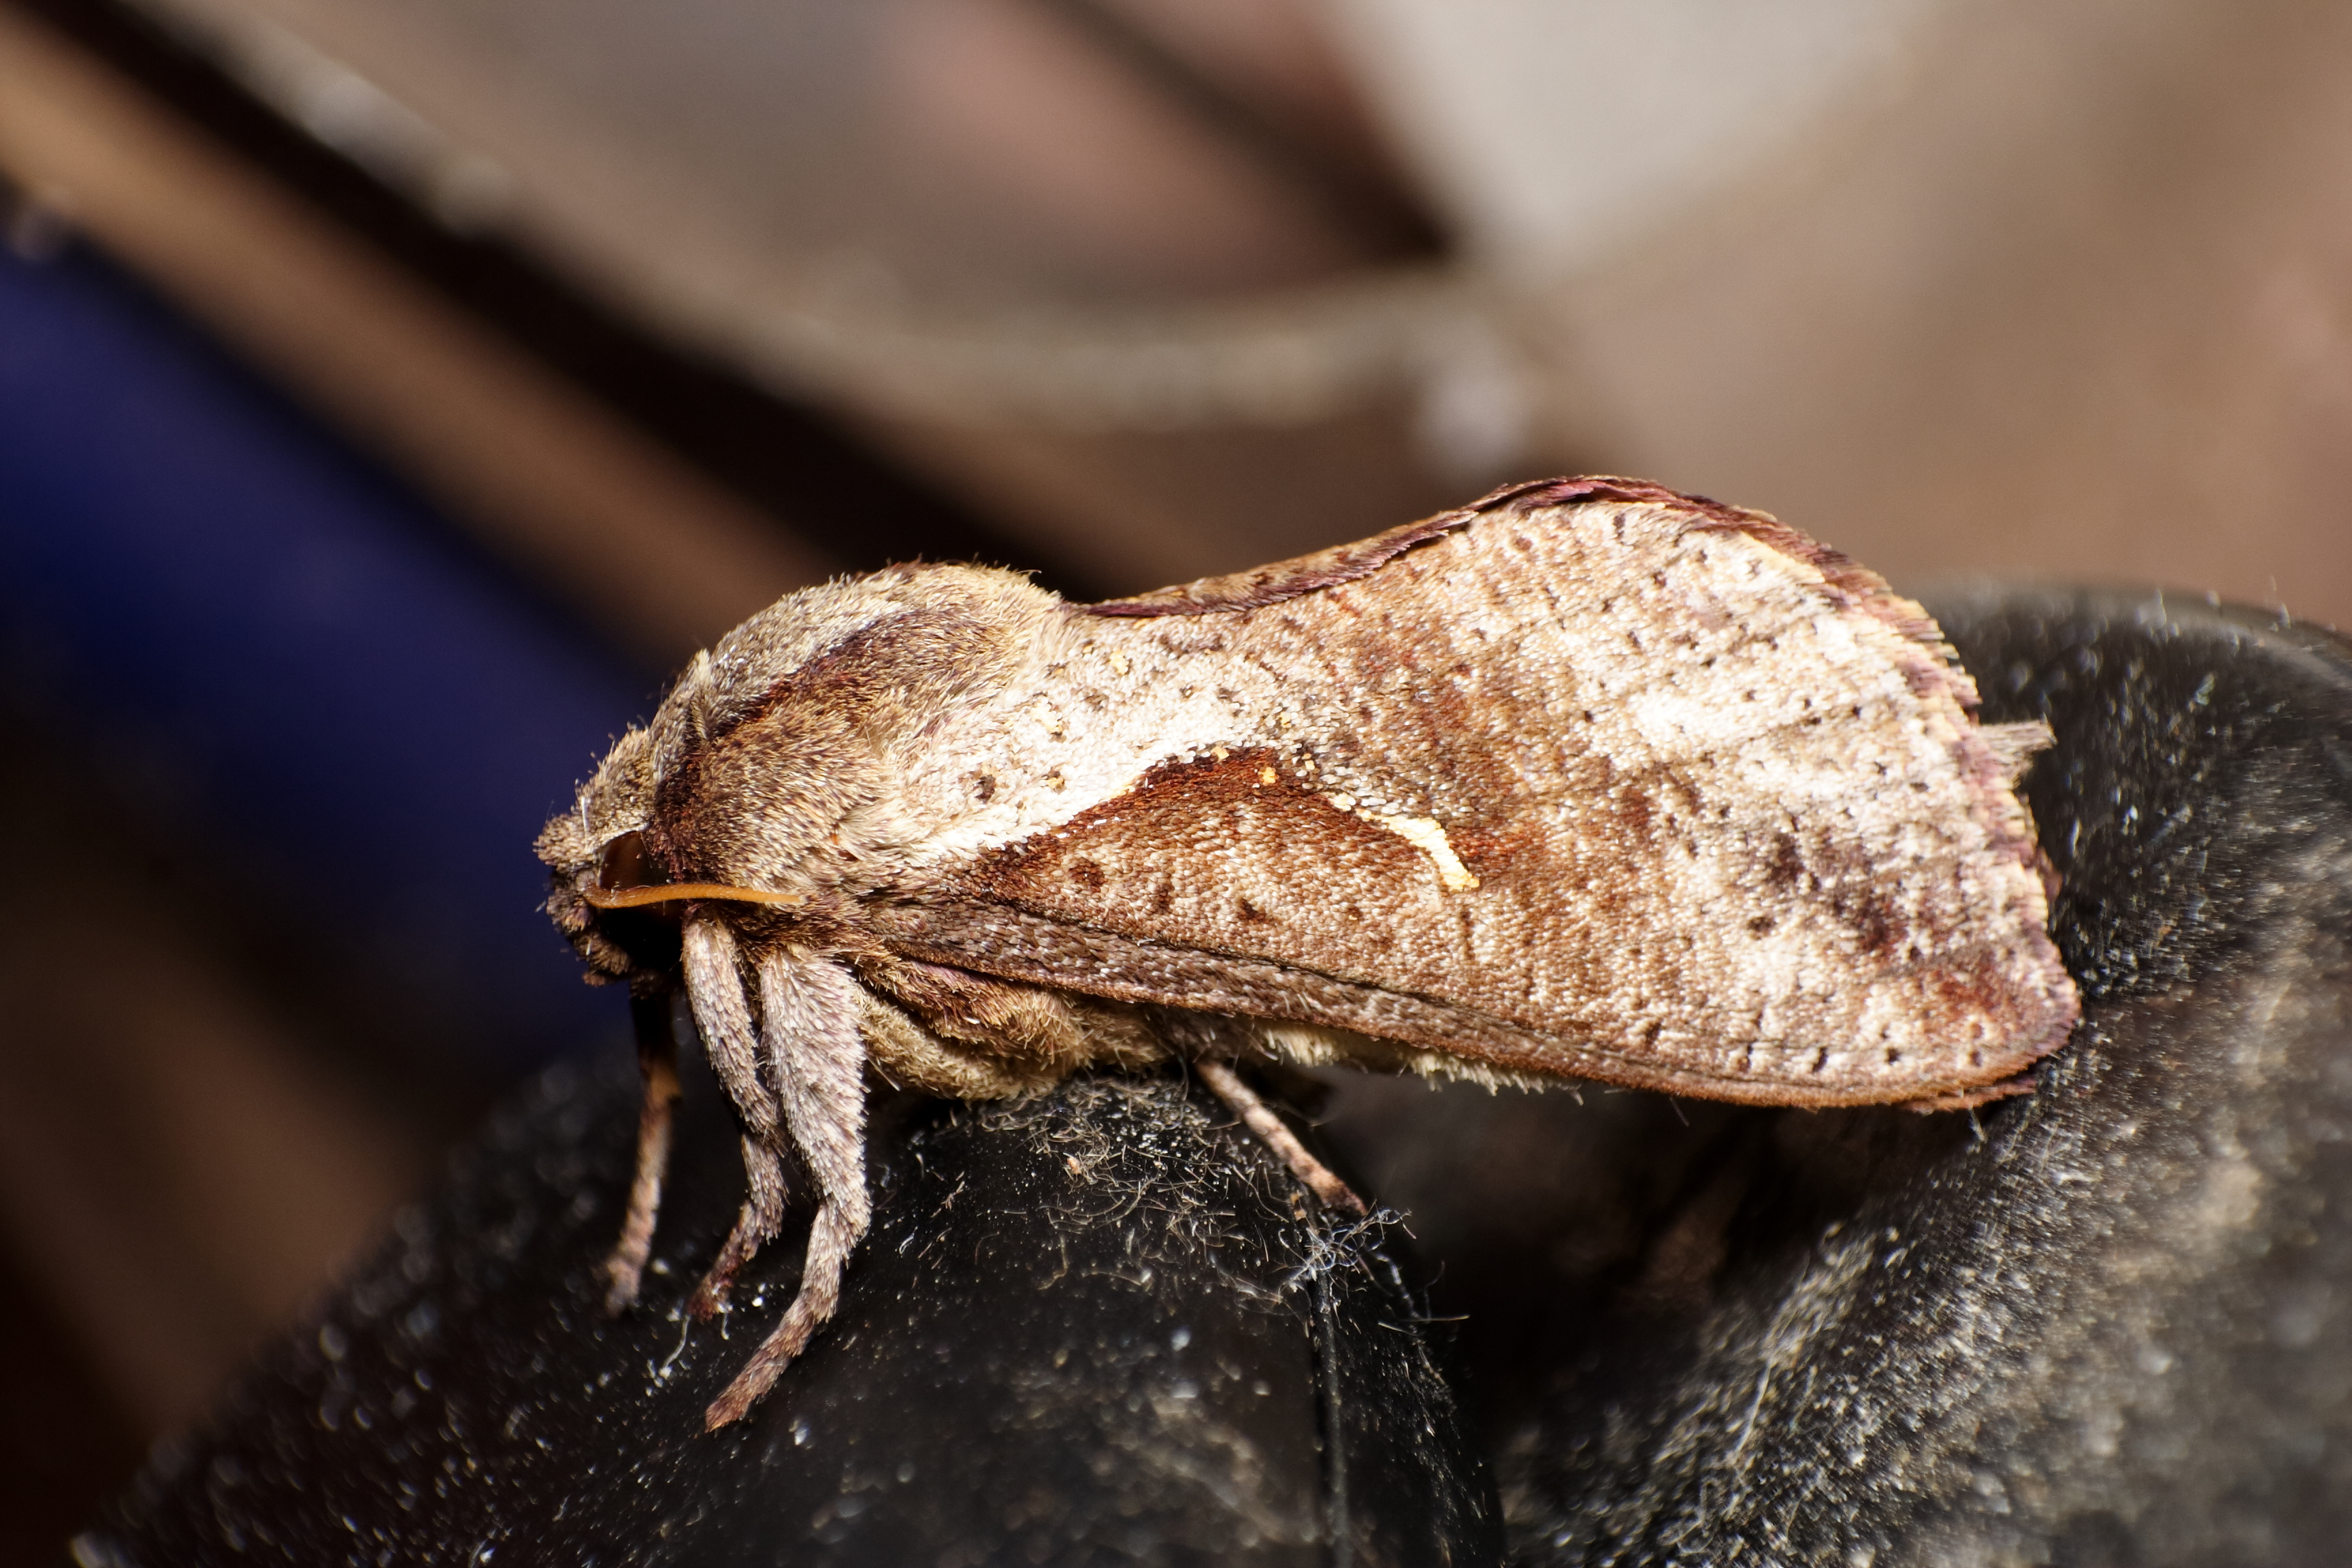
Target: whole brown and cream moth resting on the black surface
column 1584, row 782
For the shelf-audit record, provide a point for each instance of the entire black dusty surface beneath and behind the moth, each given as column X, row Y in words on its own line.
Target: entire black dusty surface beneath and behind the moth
column 2106, row 1325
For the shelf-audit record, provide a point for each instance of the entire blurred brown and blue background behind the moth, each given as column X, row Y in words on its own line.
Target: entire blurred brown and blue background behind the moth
column 394, row 396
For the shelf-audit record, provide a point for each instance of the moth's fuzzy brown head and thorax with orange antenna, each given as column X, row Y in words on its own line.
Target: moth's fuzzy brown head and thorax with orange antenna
column 768, row 784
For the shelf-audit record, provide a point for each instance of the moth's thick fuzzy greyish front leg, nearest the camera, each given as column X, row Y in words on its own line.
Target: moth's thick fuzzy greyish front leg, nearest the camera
column 810, row 1024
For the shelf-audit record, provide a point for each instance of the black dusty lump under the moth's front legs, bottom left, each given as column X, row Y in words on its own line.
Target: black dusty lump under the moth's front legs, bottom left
column 1088, row 1329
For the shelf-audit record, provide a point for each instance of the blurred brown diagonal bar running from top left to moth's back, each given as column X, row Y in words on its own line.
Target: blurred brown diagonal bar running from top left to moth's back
column 646, row 544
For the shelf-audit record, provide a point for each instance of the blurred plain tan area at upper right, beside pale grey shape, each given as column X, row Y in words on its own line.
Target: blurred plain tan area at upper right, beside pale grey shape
column 2076, row 302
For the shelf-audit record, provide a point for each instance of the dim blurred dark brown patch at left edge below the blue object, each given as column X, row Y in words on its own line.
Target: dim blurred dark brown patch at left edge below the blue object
column 178, row 1170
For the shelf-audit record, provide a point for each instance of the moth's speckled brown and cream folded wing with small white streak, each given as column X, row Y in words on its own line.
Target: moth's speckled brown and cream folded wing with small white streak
column 1584, row 782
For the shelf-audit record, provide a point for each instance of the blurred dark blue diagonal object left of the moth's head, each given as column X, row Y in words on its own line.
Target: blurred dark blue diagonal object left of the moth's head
column 274, row 645
